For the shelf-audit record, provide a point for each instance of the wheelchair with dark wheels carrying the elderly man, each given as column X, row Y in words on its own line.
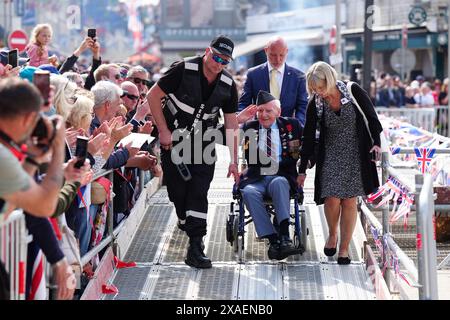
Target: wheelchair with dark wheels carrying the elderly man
column 237, row 220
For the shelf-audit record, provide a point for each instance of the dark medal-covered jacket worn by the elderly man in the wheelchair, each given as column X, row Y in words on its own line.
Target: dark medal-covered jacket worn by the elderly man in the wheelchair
column 290, row 134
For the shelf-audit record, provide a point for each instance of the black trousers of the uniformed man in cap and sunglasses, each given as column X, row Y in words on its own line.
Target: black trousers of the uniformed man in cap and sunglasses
column 189, row 197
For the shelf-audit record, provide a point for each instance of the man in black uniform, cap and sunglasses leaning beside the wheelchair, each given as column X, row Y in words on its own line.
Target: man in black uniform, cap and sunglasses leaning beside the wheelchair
column 187, row 100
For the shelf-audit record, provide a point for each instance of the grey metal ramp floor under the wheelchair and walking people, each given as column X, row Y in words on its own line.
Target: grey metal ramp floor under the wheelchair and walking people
column 159, row 249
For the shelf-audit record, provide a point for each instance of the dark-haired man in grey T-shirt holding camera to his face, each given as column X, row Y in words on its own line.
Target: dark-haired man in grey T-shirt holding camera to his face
column 20, row 104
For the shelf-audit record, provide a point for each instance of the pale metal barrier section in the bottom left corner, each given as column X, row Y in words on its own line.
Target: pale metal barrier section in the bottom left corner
column 14, row 240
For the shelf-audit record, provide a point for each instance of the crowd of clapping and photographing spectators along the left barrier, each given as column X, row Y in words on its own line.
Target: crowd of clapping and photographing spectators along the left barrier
column 103, row 103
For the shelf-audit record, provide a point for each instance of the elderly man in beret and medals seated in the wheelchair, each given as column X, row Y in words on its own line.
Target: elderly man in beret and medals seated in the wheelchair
column 271, row 148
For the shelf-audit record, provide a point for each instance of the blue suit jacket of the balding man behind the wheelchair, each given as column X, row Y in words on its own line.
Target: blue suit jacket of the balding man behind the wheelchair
column 293, row 96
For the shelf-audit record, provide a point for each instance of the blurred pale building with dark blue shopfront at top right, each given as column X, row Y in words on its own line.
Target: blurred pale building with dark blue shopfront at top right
column 426, row 47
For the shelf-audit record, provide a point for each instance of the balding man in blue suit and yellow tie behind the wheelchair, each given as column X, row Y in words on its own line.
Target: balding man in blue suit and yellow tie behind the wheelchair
column 284, row 82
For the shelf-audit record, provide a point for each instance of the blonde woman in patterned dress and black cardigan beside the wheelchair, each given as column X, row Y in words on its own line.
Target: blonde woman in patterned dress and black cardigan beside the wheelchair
column 346, row 155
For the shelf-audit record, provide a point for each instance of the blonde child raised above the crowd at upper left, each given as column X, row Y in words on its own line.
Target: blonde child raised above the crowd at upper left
column 37, row 48
